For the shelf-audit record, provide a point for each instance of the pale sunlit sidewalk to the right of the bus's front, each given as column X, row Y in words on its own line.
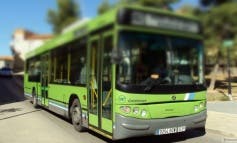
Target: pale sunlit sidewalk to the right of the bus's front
column 222, row 118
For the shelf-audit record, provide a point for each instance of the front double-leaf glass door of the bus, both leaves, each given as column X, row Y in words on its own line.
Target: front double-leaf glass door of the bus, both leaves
column 100, row 75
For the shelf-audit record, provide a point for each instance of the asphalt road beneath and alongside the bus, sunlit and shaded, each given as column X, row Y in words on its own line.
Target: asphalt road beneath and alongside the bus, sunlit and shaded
column 20, row 122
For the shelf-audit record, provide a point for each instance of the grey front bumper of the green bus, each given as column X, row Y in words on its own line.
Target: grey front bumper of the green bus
column 131, row 127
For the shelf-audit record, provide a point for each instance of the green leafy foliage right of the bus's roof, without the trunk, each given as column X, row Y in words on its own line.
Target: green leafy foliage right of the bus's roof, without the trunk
column 214, row 20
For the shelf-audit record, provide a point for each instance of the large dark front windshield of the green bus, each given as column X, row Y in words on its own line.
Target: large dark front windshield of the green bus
column 168, row 60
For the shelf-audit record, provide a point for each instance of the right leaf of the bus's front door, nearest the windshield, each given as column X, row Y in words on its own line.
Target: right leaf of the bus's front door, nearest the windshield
column 106, row 83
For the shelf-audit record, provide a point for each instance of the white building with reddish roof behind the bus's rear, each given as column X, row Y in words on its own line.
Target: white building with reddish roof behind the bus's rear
column 24, row 41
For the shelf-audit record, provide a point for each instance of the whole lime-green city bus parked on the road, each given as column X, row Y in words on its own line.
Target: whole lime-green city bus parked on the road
column 133, row 71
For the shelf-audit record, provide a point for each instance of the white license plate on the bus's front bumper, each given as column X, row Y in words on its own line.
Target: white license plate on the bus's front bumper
column 170, row 130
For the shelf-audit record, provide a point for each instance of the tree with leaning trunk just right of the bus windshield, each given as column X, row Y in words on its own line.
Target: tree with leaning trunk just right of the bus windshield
column 214, row 21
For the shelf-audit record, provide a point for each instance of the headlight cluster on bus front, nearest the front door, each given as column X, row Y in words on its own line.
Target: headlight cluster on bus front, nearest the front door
column 135, row 111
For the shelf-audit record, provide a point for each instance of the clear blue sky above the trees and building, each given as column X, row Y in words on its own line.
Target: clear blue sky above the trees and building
column 32, row 15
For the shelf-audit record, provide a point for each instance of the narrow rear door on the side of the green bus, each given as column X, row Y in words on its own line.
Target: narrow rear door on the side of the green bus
column 44, row 79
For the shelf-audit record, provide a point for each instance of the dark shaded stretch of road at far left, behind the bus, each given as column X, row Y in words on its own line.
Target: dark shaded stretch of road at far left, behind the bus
column 11, row 89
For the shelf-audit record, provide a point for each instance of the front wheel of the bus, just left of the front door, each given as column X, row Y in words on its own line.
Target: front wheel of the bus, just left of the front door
column 76, row 115
